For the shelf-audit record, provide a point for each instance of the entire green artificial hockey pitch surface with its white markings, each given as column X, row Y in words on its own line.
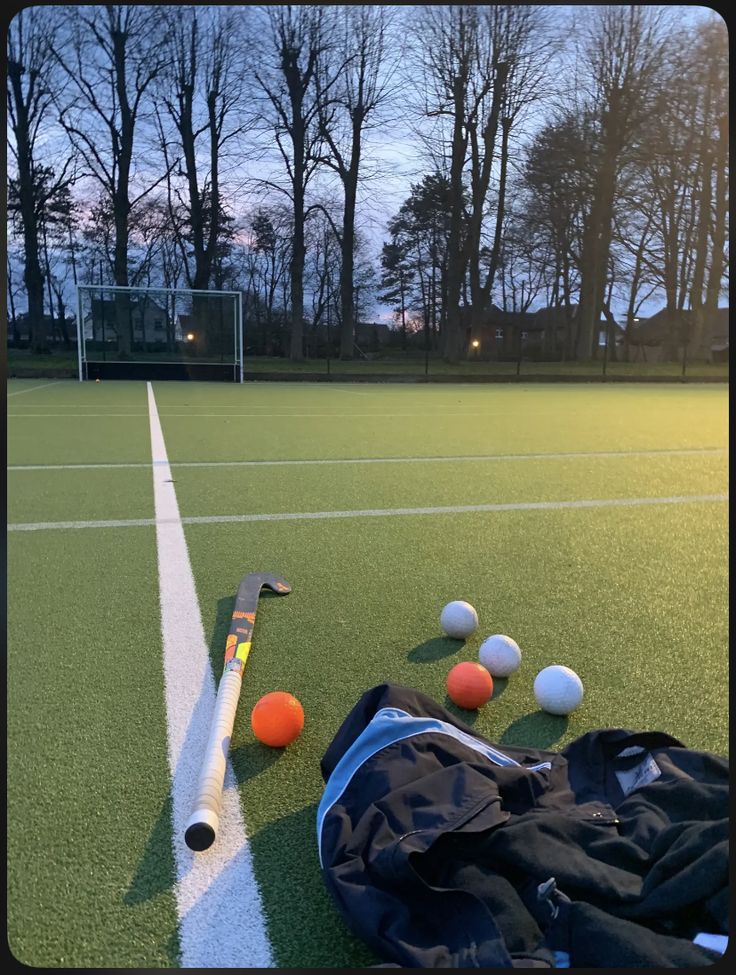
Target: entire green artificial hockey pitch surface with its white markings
column 589, row 523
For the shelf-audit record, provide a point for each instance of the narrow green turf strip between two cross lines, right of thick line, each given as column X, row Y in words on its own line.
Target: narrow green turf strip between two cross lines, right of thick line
column 241, row 490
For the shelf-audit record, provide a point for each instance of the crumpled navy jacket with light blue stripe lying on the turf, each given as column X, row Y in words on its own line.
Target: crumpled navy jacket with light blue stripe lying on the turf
column 442, row 849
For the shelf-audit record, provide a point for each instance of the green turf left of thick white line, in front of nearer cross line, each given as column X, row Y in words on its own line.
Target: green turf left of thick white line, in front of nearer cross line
column 90, row 866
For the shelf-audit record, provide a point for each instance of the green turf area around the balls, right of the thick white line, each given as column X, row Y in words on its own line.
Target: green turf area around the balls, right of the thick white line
column 634, row 601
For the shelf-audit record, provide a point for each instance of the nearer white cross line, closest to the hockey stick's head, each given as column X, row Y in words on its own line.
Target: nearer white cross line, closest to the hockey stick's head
column 373, row 512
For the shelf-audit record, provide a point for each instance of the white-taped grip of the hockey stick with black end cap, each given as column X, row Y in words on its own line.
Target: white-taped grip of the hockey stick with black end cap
column 201, row 828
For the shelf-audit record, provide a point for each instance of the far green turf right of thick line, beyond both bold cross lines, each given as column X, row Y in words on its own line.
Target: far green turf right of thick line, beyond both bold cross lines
column 316, row 423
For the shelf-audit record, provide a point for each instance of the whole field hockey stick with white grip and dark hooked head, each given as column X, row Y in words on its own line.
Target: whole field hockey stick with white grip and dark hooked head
column 201, row 828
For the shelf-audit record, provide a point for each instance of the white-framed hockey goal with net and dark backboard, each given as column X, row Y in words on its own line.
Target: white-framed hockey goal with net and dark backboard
column 159, row 333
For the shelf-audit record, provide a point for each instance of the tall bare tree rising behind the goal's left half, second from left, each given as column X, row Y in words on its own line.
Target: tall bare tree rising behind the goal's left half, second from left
column 111, row 57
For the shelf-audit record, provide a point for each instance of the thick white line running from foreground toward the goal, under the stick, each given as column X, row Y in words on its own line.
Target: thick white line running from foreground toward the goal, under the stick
column 221, row 923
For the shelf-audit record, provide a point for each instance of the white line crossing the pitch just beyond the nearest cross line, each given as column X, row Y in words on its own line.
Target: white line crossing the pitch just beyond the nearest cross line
column 478, row 458
